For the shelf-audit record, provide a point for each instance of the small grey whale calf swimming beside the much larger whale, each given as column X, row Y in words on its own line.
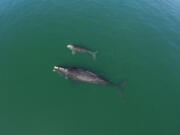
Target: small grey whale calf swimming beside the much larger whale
column 75, row 49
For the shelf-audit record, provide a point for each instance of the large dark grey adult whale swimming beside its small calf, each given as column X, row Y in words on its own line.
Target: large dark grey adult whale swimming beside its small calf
column 86, row 76
